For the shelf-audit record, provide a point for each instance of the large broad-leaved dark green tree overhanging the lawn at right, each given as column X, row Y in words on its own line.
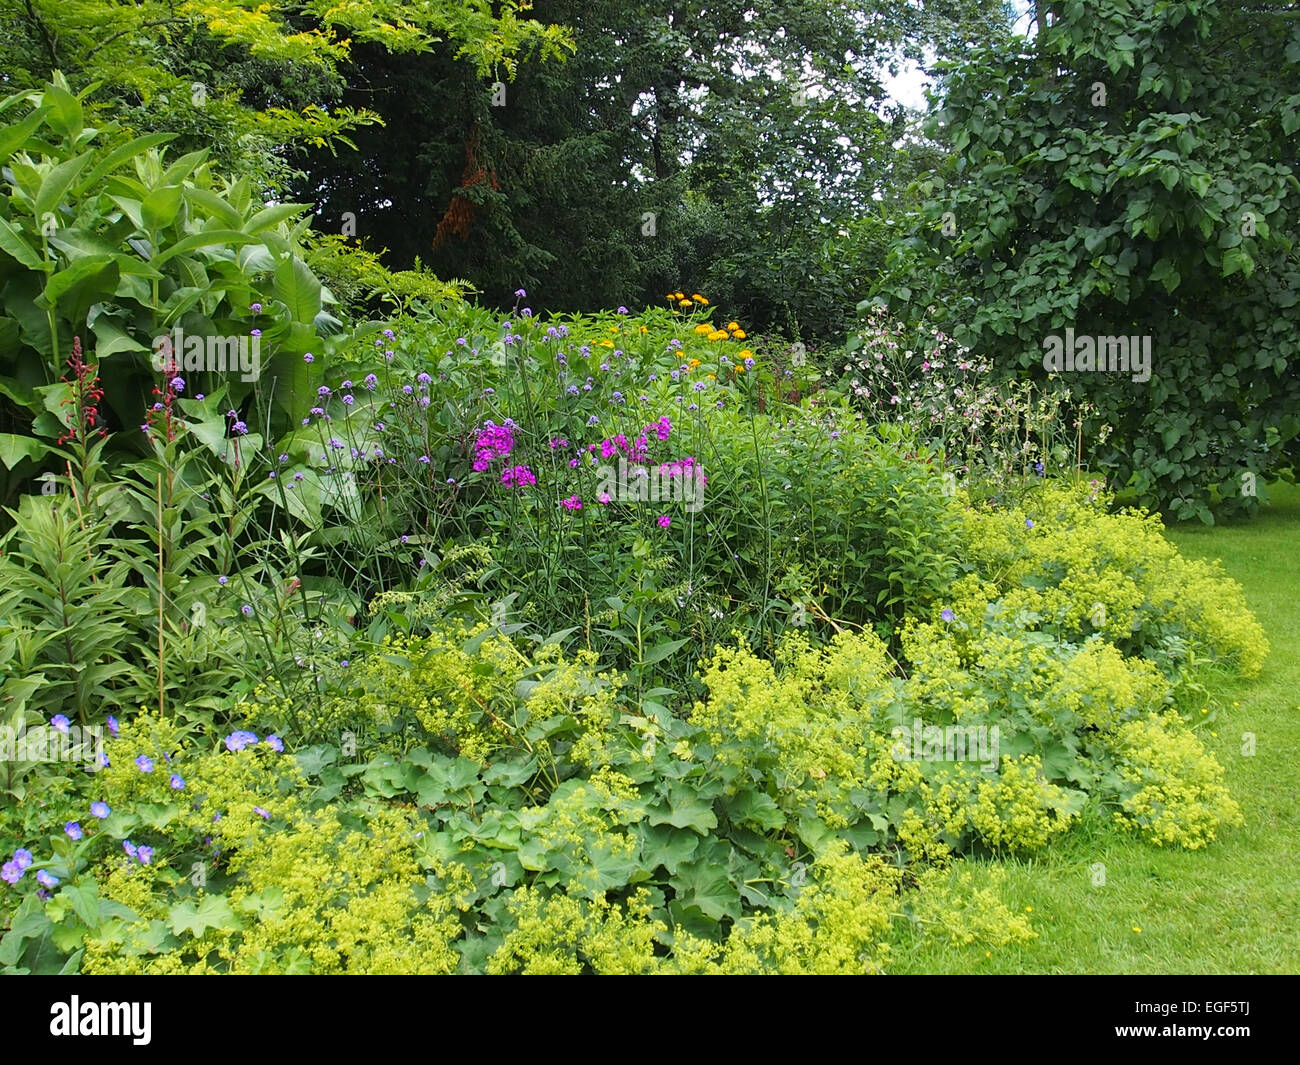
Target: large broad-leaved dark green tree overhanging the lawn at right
column 1130, row 175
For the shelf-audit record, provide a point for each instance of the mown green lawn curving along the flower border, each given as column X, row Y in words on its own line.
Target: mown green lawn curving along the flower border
column 1230, row 908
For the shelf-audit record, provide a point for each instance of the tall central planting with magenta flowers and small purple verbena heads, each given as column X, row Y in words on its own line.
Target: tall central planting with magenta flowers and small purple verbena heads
column 742, row 522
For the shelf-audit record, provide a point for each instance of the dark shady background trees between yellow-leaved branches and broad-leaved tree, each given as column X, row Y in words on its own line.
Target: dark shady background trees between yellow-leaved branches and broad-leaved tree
column 725, row 149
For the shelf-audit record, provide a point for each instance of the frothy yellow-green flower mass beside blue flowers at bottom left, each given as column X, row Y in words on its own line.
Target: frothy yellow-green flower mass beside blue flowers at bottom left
column 301, row 891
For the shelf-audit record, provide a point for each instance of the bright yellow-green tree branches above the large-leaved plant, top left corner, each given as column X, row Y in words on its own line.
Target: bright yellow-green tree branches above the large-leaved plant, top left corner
column 248, row 81
